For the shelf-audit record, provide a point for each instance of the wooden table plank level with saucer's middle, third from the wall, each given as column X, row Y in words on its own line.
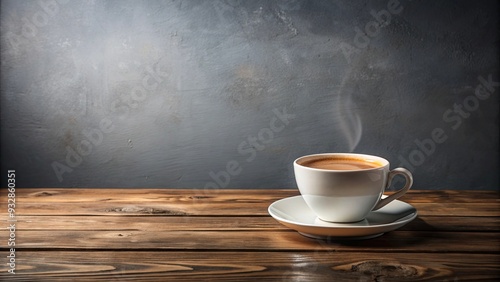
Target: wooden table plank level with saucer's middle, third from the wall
column 222, row 223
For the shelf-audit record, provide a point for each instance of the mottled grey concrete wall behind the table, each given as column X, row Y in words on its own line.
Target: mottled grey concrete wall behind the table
column 216, row 94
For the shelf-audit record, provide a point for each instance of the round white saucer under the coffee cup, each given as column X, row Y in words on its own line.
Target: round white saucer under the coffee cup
column 294, row 213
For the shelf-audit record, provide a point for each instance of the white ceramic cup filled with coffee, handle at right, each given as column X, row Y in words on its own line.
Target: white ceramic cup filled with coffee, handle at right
column 345, row 187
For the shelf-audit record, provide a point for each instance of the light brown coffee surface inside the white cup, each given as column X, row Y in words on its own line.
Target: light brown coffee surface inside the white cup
column 340, row 163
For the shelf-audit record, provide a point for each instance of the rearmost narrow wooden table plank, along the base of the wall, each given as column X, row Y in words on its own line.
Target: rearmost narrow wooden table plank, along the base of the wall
column 160, row 194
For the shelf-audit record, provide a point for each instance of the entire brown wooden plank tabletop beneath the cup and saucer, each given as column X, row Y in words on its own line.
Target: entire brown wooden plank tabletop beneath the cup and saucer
column 196, row 235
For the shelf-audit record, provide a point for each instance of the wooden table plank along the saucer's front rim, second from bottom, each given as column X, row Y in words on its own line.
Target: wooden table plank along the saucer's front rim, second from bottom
column 396, row 241
